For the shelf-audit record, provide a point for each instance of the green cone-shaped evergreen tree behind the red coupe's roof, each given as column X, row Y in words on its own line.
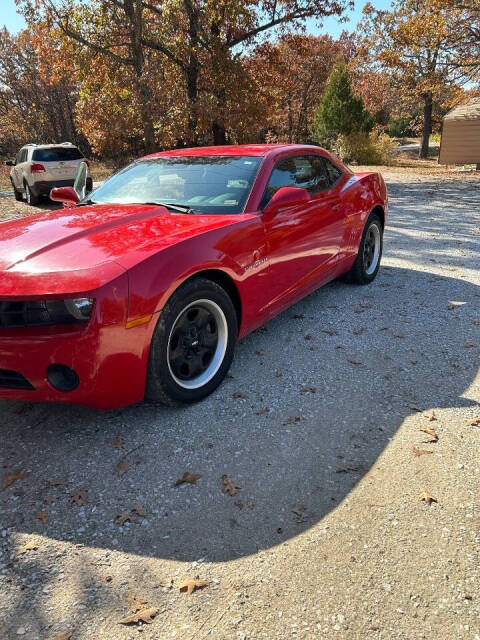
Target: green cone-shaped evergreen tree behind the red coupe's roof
column 339, row 112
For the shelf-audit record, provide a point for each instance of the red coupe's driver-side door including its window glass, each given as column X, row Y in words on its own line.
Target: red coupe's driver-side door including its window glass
column 303, row 240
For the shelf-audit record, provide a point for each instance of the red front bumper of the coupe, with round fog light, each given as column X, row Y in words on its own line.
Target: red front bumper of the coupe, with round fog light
column 110, row 360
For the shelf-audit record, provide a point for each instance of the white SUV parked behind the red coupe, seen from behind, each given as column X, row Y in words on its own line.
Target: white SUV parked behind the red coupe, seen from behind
column 40, row 167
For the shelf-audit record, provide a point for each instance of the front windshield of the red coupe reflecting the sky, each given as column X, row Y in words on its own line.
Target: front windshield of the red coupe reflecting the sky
column 205, row 184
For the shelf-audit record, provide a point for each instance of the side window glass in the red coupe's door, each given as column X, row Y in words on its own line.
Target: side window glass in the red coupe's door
column 307, row 172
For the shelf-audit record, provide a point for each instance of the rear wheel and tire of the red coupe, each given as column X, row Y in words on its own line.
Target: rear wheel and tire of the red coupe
column 367, row 263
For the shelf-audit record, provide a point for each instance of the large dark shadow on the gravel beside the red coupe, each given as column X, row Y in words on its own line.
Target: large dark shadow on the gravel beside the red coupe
column 323, row 388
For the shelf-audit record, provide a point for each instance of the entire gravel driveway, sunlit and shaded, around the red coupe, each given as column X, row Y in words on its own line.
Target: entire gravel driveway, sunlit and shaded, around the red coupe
column 319, row 424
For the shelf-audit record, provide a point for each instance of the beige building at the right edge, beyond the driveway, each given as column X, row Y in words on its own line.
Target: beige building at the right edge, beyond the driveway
column 460, row 142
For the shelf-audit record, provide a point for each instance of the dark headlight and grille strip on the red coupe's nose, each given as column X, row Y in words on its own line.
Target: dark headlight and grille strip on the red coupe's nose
column 28, row 313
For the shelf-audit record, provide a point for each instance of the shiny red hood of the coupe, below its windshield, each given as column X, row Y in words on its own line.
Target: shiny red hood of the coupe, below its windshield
column 90, row 244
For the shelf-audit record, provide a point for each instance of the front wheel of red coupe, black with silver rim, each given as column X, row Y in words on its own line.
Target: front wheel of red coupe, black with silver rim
column 193, row 344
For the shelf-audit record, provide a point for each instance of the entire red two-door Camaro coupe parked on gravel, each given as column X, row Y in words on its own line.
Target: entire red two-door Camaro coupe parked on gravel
column 141, row 289
